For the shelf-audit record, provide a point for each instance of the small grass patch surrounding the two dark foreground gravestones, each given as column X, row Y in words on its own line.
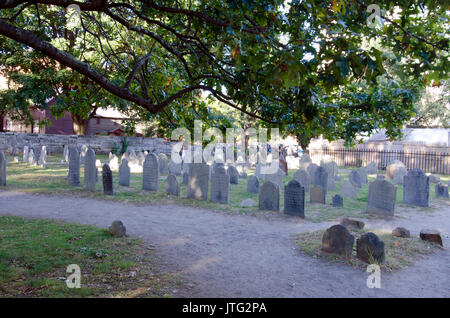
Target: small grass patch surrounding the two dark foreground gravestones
column 399, row 252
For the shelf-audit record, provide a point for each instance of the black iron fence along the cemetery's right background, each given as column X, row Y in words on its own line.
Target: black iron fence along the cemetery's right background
column 433, row 162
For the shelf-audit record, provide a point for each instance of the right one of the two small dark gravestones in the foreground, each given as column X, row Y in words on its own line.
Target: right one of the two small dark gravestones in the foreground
column 370, row 249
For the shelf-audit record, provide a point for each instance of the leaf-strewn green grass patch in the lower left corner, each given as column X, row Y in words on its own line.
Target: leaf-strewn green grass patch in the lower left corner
column 34, row 255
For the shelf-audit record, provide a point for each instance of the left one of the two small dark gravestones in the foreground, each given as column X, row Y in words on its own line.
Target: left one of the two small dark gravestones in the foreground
column 338, row 240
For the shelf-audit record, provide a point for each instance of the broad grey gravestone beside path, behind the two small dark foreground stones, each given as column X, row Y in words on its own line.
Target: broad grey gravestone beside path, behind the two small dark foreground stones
column 381, row 198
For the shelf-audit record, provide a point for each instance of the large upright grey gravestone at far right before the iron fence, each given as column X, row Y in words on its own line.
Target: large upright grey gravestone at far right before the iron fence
column 416, row 188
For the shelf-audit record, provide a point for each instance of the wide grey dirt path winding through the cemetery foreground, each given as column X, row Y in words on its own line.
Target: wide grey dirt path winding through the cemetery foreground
column 224, row 255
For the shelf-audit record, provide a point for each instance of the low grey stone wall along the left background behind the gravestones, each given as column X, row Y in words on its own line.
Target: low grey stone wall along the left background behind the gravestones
column 100, row 144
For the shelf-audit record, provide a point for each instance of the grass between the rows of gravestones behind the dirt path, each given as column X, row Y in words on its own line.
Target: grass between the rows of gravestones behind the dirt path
column 52, row 180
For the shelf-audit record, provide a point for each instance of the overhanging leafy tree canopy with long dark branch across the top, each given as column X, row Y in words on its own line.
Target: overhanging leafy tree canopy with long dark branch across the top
column 299, row 65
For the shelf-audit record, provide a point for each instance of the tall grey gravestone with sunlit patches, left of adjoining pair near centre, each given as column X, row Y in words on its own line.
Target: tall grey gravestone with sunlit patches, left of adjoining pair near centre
column 198, row 181
